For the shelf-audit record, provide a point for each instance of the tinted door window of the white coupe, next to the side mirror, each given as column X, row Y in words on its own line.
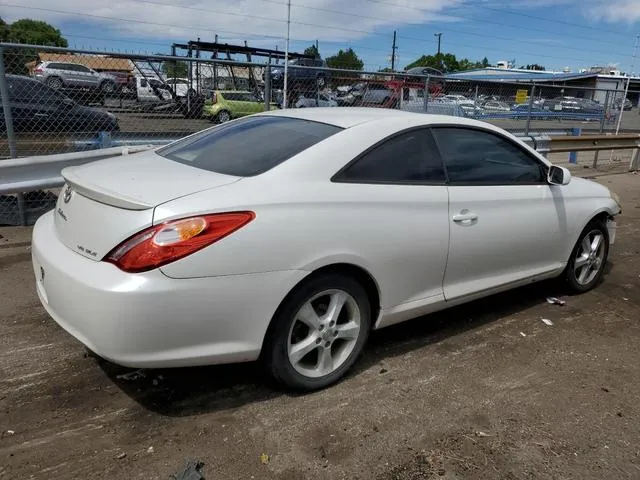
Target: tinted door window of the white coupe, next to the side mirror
column 475, row 156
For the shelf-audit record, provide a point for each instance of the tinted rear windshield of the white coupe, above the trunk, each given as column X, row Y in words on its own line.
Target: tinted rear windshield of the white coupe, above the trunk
column 248, row 146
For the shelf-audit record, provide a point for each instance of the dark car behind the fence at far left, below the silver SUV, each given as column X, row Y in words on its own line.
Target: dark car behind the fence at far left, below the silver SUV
column 36, row 107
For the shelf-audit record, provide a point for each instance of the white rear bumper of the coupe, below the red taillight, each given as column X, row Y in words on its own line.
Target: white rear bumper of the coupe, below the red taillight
column 149, row 320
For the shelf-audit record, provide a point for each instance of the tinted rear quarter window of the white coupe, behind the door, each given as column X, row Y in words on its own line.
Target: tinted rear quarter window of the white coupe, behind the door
column 410, row 157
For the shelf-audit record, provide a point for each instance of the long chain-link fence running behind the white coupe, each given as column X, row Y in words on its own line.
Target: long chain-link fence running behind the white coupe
column 62, row 100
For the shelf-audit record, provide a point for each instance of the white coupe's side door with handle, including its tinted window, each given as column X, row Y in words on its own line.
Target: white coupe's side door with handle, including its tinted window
column 507, row 223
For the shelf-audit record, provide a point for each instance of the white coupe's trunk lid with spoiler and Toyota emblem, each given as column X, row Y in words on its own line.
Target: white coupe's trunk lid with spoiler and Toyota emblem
column 105, row 202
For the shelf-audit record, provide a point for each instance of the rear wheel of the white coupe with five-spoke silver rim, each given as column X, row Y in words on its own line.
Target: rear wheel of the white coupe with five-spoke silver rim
column 318, row 333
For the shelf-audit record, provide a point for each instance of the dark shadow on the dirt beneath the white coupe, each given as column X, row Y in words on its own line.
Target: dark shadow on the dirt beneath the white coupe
column 193, row 391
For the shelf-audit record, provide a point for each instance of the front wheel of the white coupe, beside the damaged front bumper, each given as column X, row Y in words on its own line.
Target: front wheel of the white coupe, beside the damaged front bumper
column 588, row 258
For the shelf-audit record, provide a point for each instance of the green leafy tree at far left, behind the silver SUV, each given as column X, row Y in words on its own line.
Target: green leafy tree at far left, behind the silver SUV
column 33, row 32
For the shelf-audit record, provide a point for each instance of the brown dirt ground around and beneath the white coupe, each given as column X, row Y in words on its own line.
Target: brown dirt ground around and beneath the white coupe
column 483, row 391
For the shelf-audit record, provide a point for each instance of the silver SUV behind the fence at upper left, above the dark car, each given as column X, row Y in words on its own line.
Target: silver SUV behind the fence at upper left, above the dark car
column 59, row 75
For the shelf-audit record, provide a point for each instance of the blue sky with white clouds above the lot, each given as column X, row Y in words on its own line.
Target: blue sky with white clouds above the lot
column 553, row 33
